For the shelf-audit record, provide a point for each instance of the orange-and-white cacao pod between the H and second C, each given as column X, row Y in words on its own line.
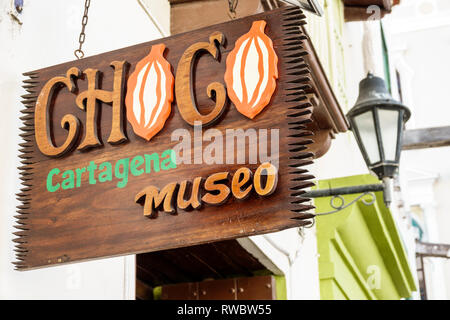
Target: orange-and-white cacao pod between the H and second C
column 150, row 94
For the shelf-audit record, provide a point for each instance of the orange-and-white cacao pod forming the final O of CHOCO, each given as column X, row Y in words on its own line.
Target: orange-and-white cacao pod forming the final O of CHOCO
column 251, row 71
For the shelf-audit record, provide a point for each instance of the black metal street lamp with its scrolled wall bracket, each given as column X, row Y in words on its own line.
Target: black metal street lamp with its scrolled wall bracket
column 378, row 122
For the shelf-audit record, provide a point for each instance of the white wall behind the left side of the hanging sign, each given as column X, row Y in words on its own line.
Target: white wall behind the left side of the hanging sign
column 48, row 36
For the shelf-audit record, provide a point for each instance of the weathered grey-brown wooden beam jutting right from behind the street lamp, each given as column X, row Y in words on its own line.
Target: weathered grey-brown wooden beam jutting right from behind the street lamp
column 426, row 138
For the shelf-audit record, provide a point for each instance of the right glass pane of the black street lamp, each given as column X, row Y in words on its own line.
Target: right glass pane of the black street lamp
column 389, row 132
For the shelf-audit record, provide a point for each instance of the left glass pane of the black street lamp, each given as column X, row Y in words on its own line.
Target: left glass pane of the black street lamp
column 365, row 125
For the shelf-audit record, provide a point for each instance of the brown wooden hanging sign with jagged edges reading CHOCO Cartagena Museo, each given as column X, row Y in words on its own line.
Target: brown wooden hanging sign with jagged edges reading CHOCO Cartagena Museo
column 115, row 161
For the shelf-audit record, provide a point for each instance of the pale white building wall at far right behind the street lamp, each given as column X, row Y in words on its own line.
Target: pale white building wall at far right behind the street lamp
column 419, row 37
